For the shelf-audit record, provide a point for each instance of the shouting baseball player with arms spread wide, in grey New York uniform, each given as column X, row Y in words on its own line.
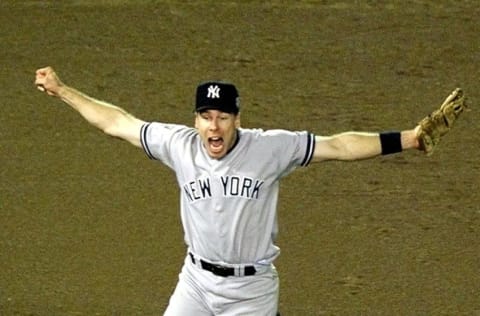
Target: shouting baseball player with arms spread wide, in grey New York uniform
column 229, row 181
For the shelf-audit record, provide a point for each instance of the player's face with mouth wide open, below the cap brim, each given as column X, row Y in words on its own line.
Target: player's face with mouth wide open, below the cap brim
column 217, row 130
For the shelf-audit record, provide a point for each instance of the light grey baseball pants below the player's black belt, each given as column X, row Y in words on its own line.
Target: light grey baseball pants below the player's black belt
column 201, row 293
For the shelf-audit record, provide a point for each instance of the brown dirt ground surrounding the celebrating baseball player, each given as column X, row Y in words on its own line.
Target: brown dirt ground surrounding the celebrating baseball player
column 89, row 226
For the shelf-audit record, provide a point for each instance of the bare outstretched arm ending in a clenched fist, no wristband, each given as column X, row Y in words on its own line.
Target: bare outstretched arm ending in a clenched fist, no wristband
column 109, row 118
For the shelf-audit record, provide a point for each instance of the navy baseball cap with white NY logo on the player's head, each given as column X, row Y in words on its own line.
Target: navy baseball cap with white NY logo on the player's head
column 217, row 95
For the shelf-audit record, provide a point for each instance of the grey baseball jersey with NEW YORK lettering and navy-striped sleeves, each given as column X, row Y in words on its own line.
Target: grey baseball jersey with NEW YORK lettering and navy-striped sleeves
column 228, row 206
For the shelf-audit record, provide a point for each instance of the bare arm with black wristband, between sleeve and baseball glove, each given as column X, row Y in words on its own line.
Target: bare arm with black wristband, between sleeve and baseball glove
column 358, row 145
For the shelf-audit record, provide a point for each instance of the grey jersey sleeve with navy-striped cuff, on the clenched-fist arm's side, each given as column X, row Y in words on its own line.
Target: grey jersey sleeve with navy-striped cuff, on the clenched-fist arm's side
column 158, row 140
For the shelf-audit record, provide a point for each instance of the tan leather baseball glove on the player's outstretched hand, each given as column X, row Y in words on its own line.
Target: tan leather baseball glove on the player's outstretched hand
column 440, row 121
